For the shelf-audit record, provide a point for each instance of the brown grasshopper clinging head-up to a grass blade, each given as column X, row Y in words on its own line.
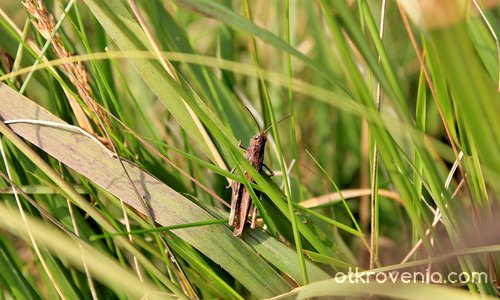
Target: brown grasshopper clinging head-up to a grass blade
column 241, row 201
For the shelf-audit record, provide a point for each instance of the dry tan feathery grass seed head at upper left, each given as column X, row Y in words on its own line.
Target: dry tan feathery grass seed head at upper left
column 44, row 22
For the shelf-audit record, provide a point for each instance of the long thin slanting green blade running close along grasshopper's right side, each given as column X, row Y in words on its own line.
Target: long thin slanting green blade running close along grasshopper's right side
column 291, row 210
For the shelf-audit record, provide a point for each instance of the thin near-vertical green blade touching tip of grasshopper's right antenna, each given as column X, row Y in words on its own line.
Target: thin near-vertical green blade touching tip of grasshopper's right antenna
column 295, row 147
